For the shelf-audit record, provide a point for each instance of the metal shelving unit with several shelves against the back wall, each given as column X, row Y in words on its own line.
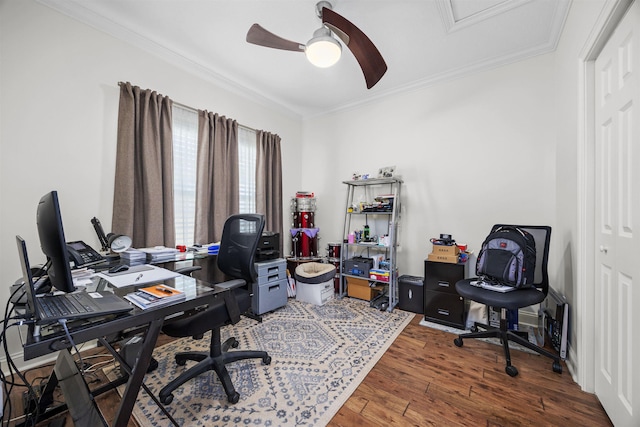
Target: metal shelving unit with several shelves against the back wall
column 386, row 222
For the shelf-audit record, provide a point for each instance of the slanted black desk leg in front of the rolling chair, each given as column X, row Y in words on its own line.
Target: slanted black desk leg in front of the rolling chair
column 137, row 375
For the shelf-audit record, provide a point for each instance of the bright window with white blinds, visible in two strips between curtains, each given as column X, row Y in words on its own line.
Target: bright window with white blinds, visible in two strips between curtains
column 185, row 151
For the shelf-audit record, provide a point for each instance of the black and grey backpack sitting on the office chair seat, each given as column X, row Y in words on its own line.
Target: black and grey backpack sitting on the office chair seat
column 508, row 255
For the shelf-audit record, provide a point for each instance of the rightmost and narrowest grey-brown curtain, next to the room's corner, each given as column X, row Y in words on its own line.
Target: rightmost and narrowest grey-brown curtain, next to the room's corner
column 269, row 181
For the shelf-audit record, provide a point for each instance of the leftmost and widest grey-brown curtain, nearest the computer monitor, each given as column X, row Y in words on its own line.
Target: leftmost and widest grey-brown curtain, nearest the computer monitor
column 143, row 199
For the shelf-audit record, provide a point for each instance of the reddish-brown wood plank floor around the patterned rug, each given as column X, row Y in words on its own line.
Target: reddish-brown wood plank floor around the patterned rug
column 424, row 379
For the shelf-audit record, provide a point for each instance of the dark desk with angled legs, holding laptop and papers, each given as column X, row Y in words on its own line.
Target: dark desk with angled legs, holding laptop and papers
column 53, row 338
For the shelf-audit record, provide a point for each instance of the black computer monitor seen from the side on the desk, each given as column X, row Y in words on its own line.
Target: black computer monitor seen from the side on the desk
column 53, row 242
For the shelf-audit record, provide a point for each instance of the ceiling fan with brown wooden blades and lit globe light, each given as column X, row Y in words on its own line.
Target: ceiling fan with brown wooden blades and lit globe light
column 323, row 50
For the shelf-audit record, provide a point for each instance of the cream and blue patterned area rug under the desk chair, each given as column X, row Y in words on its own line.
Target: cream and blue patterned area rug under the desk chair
column 319, row 357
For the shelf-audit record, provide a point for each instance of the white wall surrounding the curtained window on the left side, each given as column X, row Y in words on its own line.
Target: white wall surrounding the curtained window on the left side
column 58, row 111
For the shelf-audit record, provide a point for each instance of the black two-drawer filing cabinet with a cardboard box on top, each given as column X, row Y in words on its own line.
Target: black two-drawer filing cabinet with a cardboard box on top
column 442, row 304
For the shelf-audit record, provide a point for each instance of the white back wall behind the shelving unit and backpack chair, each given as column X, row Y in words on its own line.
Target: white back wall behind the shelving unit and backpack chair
column 472, row 152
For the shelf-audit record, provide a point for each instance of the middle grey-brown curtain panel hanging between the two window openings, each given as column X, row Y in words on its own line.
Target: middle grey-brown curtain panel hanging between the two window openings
column 217, row 182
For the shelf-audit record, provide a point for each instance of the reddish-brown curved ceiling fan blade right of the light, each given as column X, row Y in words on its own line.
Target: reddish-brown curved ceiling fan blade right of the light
column 367, row 55
